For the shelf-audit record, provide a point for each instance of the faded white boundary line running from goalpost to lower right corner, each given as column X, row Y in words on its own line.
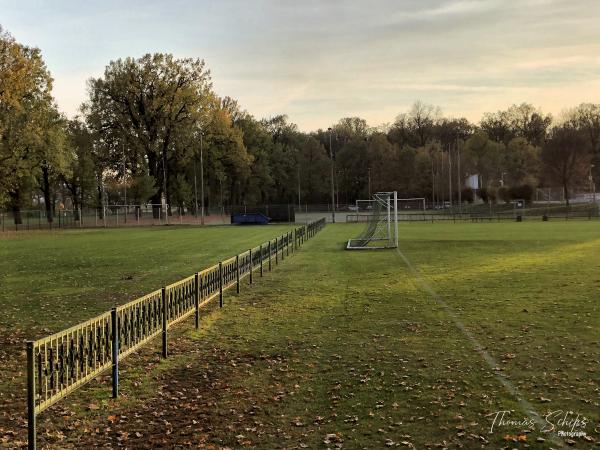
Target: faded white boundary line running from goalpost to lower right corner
column 525, row 405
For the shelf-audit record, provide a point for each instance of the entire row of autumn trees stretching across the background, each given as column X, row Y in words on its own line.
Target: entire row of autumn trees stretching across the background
column 150, row 122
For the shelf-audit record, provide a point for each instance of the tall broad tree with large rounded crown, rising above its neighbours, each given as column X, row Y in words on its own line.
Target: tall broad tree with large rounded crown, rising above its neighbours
column 149, row 106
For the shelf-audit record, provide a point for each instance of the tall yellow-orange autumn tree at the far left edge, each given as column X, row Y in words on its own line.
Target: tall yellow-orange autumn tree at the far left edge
column 31, row 129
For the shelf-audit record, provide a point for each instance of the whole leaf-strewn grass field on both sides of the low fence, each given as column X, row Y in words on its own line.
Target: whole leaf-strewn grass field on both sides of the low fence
column 335, row 348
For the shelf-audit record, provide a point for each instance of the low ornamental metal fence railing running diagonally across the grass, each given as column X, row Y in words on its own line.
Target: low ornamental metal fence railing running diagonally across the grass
column 61, row 363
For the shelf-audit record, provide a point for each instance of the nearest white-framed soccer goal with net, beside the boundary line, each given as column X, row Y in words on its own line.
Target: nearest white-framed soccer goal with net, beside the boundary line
column 381, row 216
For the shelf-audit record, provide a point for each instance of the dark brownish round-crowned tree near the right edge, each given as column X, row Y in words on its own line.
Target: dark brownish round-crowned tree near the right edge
column 566, row 157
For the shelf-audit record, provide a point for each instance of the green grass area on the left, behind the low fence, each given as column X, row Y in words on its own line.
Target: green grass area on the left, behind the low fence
column 51, row 280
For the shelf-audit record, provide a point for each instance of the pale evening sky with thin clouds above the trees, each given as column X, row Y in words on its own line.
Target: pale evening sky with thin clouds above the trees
column 319, row 61
